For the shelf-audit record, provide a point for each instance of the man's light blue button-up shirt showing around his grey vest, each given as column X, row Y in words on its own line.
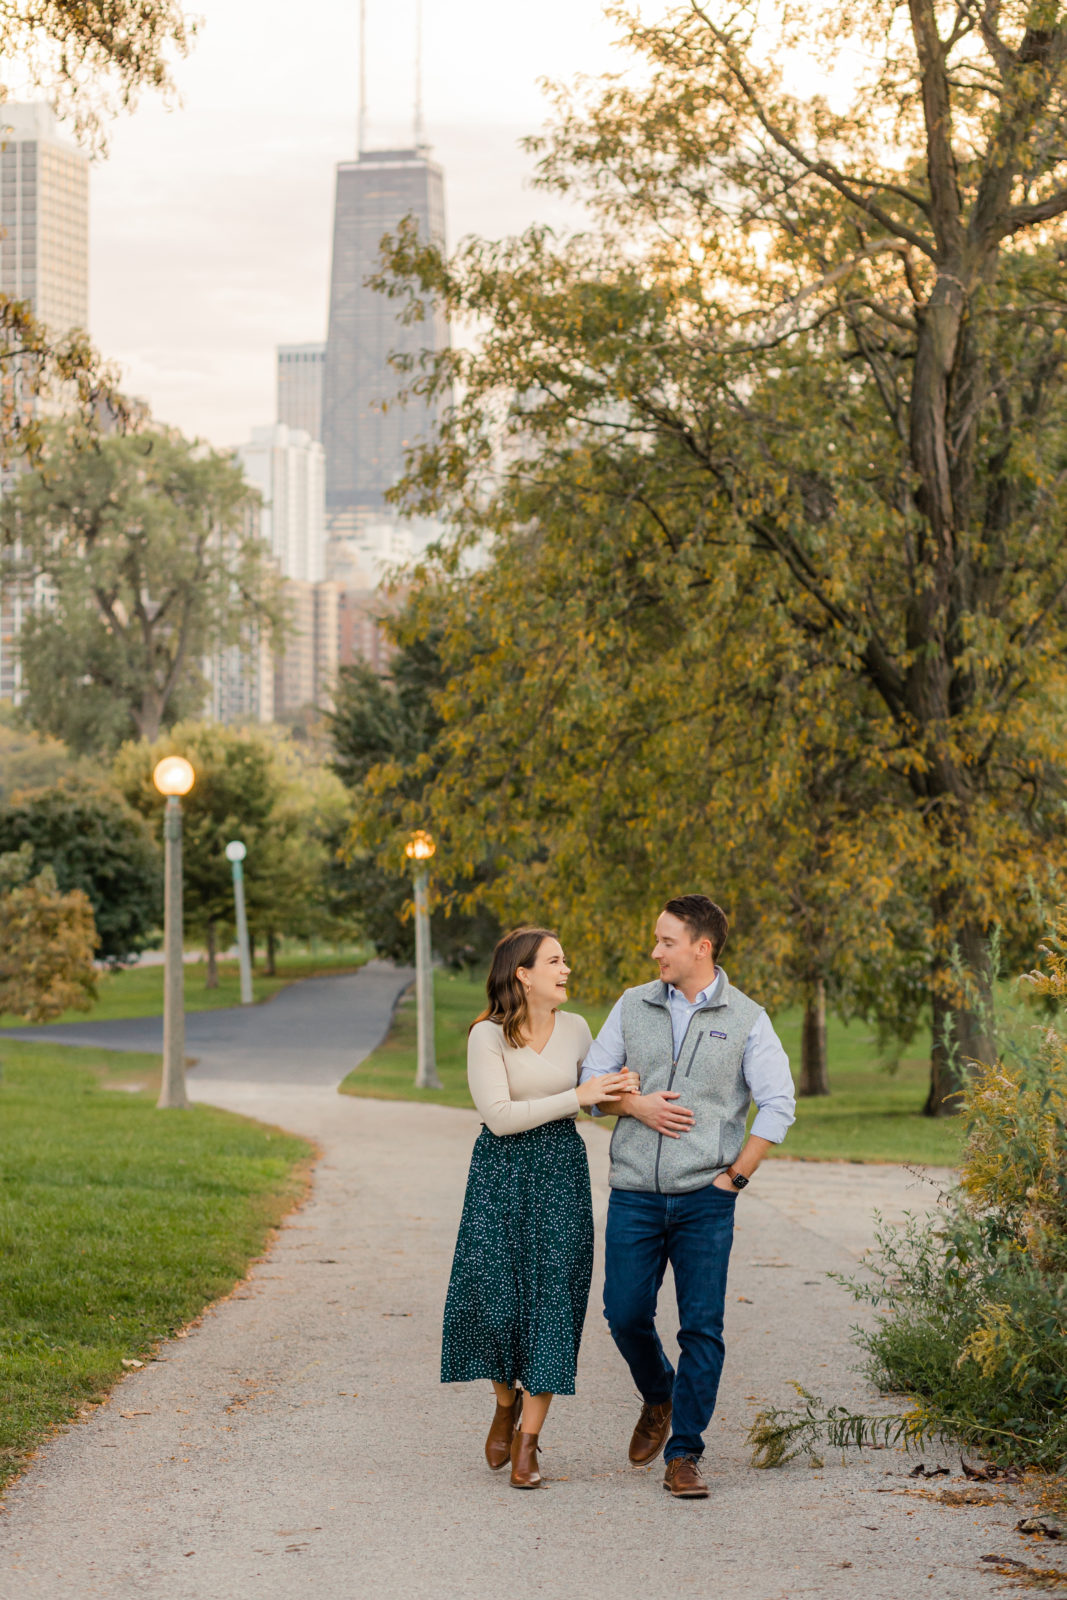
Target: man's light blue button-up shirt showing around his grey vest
column 765, row 1065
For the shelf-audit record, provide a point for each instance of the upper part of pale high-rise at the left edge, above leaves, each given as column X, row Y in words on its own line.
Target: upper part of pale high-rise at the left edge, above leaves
column 44, row 218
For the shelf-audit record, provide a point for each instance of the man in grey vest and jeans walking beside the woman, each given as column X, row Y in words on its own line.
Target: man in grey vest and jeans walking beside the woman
column 679, row 1161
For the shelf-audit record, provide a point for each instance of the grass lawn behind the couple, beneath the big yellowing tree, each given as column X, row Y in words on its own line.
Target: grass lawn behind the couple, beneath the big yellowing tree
column 873, row 1116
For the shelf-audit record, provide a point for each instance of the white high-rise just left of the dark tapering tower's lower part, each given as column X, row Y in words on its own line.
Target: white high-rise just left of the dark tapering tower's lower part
column 287, row 468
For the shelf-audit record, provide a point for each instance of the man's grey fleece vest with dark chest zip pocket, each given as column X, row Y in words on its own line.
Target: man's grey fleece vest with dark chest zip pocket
column 706, row 1074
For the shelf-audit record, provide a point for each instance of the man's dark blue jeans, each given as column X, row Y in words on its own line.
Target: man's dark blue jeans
column 693, row 1233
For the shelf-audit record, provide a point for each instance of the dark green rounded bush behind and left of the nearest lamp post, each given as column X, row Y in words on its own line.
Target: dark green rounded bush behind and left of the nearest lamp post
column 98, row 844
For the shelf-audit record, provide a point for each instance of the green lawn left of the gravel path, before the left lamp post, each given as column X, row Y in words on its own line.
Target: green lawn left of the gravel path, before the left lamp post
column 118, row 1225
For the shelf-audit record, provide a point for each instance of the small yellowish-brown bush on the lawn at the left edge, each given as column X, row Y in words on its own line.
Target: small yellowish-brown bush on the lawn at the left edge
column 47, row 943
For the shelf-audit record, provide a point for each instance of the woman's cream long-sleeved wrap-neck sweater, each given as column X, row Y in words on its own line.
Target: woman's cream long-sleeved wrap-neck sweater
column 522, row 1089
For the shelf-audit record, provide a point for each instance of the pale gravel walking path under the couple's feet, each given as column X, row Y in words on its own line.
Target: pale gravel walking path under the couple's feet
column 298, row 1442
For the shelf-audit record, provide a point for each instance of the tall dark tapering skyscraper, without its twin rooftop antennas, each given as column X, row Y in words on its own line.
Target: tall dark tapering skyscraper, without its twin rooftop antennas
column 366, row 431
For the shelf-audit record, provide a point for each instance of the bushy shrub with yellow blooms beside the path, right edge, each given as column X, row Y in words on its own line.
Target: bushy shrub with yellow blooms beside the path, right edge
column 973, row 1308
